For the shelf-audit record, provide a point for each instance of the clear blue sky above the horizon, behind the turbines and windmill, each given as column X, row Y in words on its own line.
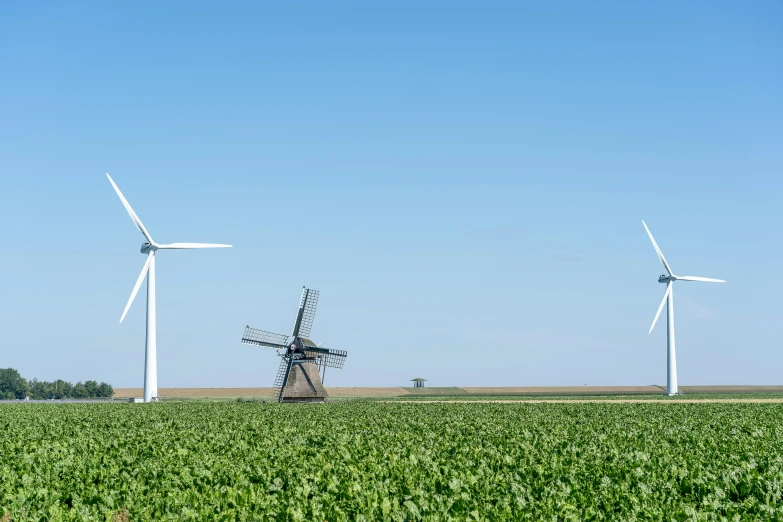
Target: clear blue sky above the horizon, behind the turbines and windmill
column 464, row 183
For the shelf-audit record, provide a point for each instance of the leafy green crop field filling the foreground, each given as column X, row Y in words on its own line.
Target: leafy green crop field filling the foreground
column 391, row 461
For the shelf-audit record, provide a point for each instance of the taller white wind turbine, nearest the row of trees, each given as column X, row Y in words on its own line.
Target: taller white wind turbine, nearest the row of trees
column 149, row 248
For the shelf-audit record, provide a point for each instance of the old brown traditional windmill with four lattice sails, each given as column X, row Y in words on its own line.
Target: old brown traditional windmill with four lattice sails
column 303, row 363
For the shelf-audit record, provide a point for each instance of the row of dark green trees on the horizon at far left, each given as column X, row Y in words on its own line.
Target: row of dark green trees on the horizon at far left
column 14, row 386
